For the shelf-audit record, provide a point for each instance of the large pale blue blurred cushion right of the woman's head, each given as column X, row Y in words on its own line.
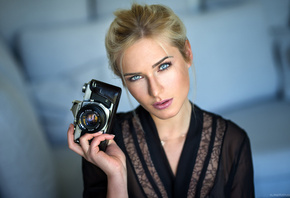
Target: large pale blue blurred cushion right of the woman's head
column 232, row 56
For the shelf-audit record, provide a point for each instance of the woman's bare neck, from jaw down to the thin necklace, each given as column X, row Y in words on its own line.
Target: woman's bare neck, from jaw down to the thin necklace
column 176, row 126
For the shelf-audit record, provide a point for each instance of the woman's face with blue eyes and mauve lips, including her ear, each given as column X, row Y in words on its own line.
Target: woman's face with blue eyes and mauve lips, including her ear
column 157, row 76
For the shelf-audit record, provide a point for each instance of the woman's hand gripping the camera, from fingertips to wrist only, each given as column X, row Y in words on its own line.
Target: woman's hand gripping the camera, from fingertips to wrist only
column 112, row 161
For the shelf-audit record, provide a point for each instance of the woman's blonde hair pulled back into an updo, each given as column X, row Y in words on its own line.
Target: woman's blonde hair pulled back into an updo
column 150, row 21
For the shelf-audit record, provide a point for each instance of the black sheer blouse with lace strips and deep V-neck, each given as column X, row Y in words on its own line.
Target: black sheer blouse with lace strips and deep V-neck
column 215, row 161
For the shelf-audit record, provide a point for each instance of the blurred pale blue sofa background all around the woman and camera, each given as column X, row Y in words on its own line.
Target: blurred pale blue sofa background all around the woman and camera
column 49, row 49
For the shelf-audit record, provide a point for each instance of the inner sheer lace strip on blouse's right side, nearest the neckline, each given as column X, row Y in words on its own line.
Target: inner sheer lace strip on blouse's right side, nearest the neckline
column 201, row 154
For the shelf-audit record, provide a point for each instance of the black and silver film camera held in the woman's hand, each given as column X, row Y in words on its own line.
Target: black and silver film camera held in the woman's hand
column 97, row 110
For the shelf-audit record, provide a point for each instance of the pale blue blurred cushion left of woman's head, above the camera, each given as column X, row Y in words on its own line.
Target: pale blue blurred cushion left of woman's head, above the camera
column 47, row 52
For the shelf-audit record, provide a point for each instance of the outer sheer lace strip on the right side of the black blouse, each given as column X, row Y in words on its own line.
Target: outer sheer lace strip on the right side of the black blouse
column 214, row 159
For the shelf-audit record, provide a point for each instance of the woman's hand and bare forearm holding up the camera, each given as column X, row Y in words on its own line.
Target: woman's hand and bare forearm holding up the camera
column 112, row 161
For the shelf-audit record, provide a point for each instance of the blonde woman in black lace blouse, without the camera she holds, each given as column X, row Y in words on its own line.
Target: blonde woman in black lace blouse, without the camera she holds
column 167, row 147
